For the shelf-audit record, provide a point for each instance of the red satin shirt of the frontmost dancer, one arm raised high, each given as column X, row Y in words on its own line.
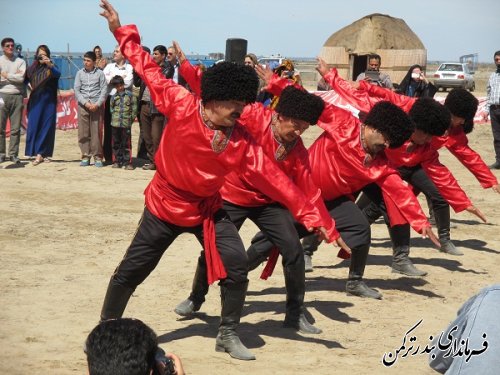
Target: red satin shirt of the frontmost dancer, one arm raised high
column 189, row 171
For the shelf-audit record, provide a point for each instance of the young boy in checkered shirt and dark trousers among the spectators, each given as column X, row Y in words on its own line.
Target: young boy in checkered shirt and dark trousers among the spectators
column 123, row 107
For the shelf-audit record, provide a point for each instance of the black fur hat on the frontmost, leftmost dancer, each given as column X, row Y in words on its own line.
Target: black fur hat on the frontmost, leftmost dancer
column 229, row 81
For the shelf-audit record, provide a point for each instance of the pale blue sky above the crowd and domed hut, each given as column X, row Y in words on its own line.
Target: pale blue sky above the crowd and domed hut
column 448, row 28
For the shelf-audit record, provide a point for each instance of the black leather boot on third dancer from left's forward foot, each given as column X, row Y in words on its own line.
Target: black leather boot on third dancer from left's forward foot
column 355, row 285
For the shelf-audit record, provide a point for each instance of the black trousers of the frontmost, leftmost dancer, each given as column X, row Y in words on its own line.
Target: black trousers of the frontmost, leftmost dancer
column 154, row 236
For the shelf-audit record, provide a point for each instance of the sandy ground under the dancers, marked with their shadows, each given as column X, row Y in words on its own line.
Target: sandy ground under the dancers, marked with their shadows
column 65, row 228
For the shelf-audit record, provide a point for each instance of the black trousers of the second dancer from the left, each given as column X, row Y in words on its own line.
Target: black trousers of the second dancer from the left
column 276, row 222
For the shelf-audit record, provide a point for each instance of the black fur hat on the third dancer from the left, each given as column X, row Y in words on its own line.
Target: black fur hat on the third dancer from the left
column 391, row 121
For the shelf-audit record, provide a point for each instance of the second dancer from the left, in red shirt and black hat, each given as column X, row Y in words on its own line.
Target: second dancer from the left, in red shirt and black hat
column 278, row 132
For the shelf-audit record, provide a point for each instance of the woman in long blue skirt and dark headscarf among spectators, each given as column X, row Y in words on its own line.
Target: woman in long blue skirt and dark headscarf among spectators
column 42, row 77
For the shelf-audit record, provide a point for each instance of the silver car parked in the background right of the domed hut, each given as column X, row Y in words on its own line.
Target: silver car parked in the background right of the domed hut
column 452, row 75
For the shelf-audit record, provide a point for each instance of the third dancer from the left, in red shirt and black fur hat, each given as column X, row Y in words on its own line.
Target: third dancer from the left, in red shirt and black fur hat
column 345, row 159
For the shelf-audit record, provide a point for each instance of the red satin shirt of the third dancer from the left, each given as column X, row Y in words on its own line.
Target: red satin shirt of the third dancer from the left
column 338, row 168
